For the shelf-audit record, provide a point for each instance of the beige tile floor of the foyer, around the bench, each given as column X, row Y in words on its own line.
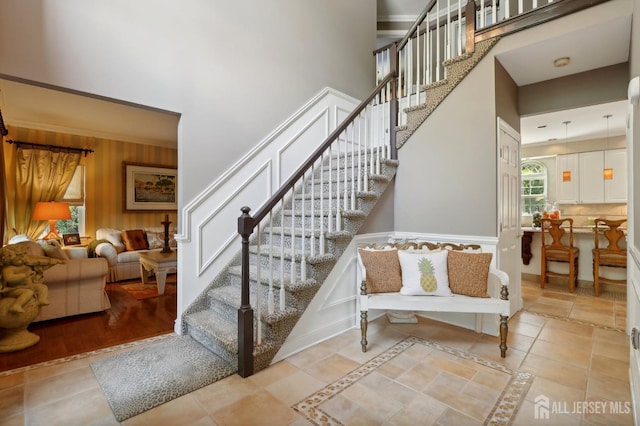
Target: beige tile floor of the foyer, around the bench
column 573, row 346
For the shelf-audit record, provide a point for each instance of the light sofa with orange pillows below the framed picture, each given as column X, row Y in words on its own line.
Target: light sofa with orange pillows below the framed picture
column 122, row 248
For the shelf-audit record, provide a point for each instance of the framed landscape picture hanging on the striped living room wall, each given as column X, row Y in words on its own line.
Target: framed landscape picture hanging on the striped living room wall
column 149, row 187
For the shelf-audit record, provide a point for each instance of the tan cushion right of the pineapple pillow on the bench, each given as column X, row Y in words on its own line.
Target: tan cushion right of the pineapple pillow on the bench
column 468, row 273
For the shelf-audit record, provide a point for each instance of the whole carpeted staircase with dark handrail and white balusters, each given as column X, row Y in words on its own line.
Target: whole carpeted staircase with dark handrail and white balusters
column 290, row 244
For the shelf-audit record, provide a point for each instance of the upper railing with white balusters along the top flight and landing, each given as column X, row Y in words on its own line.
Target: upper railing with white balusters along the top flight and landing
column 443, row 32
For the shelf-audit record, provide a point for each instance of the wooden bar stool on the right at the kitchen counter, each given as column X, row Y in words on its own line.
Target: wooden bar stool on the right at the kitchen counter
column 612, row 256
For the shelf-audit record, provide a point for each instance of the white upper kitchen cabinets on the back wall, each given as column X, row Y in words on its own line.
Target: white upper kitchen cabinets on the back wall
column 588, row 184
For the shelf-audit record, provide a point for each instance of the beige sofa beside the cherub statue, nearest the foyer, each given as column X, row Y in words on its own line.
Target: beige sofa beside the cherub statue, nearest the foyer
column 76, row 286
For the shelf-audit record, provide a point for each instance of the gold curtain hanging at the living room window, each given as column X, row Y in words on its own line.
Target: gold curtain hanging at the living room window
column 38, row 175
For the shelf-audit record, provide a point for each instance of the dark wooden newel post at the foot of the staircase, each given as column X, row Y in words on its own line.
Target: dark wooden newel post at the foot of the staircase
column 245, row 313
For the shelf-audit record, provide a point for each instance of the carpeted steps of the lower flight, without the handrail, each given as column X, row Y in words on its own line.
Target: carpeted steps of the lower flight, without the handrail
column 213, row 321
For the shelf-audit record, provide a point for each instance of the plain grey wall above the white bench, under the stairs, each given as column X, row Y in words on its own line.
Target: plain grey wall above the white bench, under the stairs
column 446, row 182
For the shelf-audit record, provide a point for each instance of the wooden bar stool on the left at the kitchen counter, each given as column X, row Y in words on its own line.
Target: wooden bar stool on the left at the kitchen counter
column 556, row 251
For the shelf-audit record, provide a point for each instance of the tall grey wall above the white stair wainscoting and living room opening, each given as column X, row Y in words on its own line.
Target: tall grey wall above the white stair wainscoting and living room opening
column 233, row 69
